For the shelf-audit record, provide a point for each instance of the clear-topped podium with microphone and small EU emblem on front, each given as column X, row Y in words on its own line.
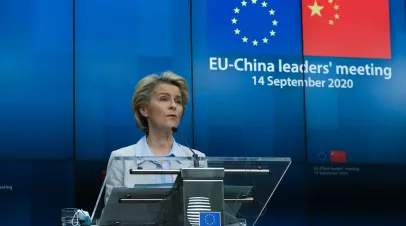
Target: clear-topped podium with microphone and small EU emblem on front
column 229, row 191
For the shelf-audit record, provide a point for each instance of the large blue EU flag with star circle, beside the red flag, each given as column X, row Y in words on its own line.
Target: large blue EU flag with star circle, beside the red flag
column 255, row 27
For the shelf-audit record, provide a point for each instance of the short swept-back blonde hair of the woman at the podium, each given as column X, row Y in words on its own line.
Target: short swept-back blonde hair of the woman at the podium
column 144, row 90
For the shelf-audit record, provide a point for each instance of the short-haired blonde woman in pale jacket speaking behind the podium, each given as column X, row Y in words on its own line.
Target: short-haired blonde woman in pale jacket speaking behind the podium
column 158, row 105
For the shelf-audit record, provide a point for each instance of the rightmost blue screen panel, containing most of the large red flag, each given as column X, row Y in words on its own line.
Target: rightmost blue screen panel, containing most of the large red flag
column 360, row 115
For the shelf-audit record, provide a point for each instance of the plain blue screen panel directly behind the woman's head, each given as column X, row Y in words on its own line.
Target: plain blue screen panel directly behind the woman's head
column 116, row 45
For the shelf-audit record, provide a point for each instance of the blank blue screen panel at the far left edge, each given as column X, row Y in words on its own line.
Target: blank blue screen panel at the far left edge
column 36, row 79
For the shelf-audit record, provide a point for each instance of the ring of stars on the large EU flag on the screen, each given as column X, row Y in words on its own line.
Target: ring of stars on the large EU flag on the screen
column 244, row 38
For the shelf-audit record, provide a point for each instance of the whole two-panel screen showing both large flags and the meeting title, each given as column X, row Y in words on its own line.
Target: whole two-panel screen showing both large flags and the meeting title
column 314, row 82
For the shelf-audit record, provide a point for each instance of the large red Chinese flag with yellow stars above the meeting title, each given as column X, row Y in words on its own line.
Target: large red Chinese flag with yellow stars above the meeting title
column 346, row 28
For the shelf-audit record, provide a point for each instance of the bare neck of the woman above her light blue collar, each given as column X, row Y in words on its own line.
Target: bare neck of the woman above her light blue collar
column 160, row 142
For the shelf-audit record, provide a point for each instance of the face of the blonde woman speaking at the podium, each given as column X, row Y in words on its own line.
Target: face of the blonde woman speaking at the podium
column 164, row 109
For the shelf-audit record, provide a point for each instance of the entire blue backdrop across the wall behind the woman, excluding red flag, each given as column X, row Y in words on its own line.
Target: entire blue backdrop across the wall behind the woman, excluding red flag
column 68, row 70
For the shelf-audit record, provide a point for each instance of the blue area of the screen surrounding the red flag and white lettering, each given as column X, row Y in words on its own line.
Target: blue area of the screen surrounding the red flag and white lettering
column 236, row 114
